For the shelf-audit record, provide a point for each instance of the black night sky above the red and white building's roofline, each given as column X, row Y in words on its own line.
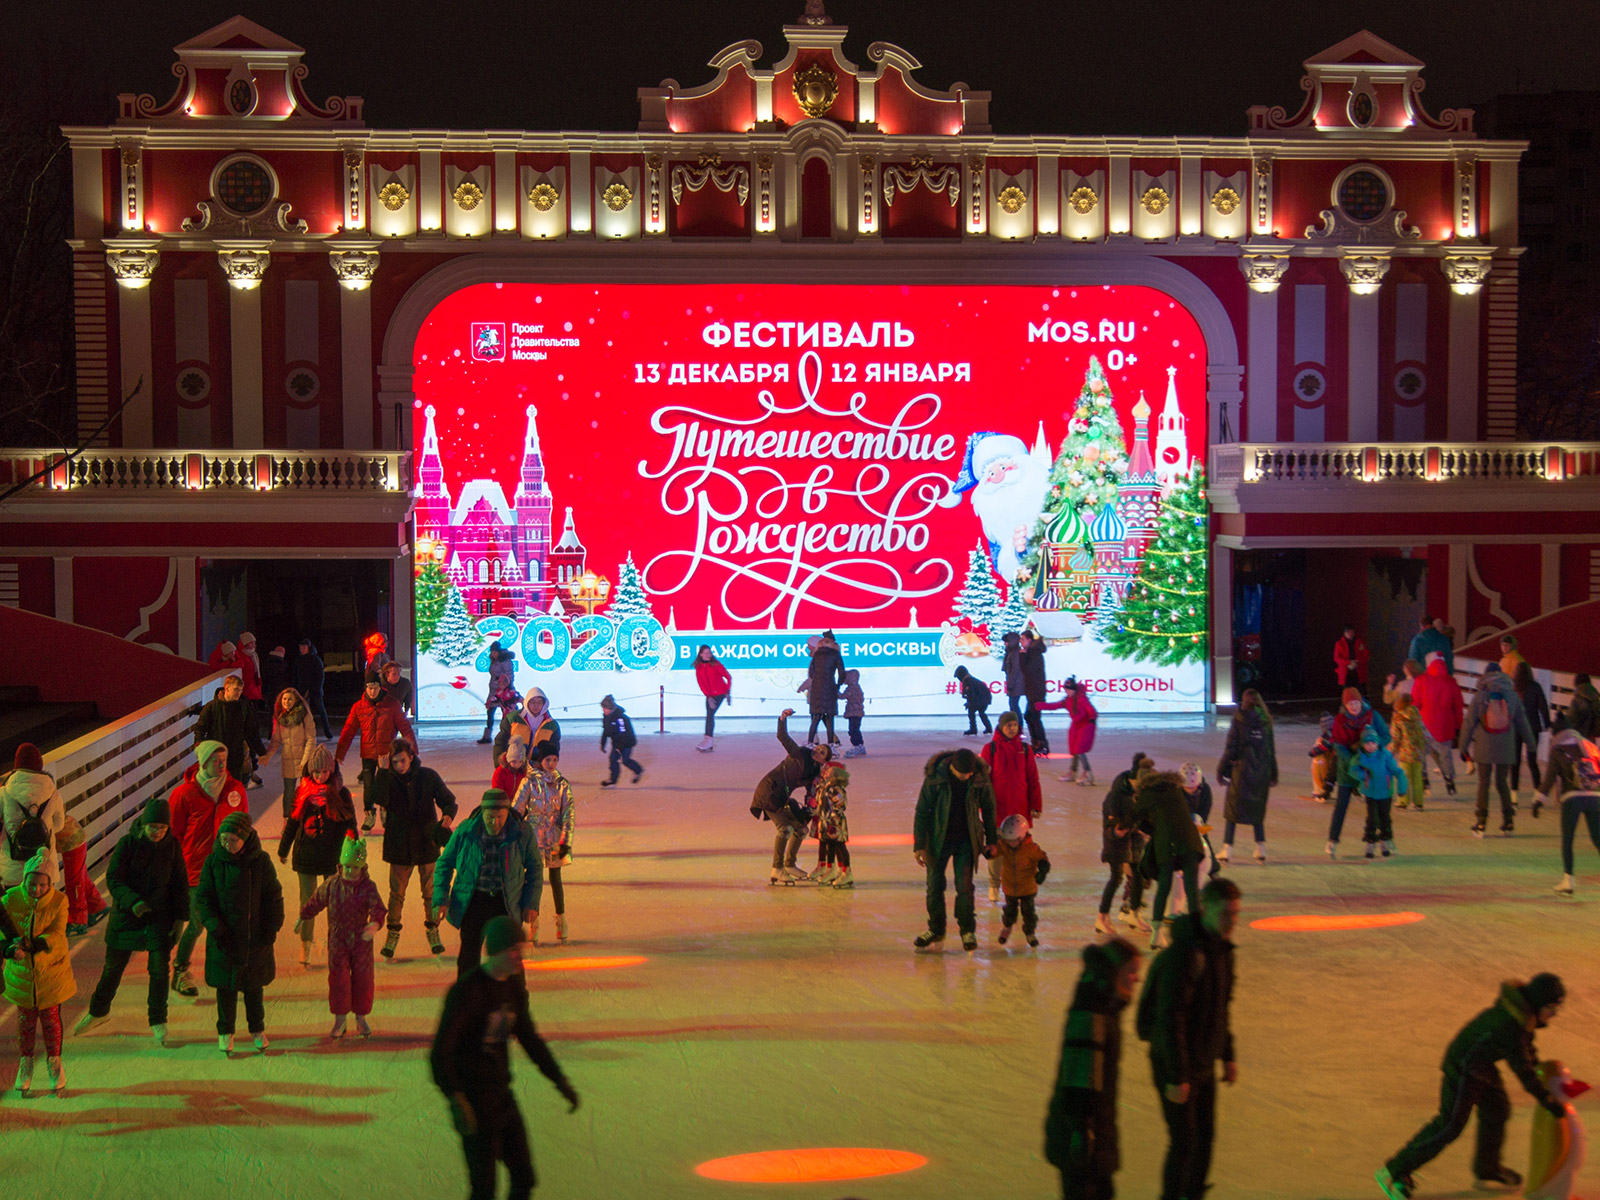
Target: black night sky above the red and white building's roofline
column 1159, row 68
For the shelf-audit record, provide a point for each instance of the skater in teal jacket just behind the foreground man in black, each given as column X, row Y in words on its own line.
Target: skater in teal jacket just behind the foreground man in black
column 490, row 868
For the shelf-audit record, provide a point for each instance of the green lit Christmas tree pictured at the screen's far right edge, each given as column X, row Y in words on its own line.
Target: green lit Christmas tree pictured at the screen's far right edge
column 1162, row 618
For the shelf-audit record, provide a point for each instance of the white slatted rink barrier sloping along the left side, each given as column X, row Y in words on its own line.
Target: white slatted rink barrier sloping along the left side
column 106, row 777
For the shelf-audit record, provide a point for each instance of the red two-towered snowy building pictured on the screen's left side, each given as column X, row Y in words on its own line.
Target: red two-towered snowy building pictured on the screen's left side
column 497, row 551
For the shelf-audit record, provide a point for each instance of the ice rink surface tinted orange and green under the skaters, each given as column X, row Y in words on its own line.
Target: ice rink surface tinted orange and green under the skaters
column 783, row 1018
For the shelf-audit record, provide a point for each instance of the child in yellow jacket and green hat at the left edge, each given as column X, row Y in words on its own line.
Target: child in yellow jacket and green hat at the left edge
column 39, row 972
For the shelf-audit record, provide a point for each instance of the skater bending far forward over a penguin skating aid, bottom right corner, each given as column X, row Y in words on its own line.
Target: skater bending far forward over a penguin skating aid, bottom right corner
column 1473, row 1081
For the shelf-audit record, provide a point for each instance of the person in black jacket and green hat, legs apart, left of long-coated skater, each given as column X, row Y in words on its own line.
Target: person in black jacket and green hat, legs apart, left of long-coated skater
column 150, row 898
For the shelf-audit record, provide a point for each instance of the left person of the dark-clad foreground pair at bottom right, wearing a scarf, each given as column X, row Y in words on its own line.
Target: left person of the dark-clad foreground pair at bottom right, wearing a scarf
column 1081, row 1127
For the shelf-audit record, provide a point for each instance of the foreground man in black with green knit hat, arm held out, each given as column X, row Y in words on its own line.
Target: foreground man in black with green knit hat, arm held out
column 473, row 1068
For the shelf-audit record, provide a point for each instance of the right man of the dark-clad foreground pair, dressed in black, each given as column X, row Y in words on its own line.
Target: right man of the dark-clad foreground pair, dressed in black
column 1185, row 1017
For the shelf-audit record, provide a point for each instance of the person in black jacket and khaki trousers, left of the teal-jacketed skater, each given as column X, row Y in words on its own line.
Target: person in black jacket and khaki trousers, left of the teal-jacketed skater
column 418, row 814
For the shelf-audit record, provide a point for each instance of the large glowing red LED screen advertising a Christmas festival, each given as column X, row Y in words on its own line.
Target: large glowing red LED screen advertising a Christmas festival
column 609, row 478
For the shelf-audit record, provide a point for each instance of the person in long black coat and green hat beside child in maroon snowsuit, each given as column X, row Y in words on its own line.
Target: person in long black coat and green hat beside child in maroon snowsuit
column 241, row 905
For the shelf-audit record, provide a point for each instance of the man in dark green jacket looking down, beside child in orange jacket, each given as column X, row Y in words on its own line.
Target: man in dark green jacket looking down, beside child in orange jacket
column 956, row 822
